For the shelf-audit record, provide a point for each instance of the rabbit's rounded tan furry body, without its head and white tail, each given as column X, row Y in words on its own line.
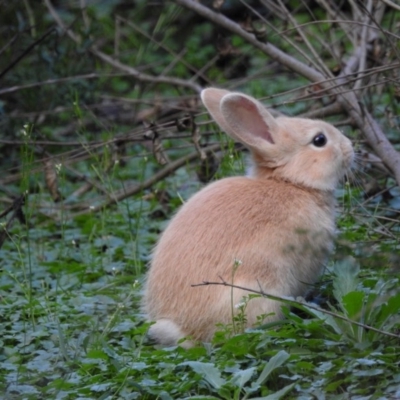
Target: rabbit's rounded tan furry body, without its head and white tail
column 270, row 232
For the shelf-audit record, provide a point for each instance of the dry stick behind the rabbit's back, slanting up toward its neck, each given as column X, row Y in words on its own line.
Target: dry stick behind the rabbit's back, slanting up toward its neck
column 128, row 192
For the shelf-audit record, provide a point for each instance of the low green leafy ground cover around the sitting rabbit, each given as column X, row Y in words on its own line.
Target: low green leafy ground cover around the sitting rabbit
column 72, row 327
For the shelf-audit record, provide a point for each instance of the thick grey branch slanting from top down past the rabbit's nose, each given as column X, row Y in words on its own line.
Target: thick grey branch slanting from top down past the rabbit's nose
column 371, row 130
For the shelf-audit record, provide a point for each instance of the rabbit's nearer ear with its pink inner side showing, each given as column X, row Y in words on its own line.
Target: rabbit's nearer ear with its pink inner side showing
column 248, row 121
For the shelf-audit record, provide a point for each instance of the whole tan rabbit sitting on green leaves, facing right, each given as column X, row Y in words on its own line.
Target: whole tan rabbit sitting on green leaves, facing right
column 270, row 231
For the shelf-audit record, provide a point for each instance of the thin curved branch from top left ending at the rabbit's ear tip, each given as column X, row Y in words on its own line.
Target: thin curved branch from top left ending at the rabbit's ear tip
column 117, row 64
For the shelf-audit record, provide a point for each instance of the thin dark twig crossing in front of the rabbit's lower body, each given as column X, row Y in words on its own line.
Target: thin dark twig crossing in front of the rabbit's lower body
column 308, row 305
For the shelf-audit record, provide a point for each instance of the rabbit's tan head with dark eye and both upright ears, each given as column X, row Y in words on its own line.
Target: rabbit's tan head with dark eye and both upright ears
column 306, row 152
